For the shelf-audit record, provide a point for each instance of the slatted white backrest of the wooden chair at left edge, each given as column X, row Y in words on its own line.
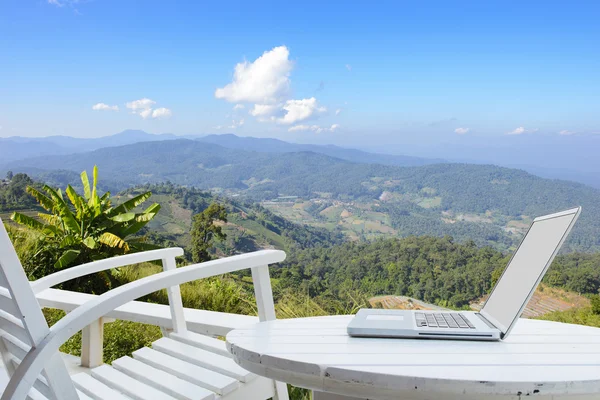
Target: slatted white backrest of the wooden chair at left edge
column 23, row 326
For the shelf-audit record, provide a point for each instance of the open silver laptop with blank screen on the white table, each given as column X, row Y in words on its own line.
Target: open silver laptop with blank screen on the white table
column 502, row 309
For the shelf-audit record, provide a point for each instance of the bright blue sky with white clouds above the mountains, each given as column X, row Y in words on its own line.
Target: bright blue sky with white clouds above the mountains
column 343, row 72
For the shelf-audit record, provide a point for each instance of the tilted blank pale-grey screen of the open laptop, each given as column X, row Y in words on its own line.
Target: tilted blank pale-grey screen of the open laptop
column 529, row 262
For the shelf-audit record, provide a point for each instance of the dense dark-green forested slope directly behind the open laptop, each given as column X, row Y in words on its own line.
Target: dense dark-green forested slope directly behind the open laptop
column 436, row 270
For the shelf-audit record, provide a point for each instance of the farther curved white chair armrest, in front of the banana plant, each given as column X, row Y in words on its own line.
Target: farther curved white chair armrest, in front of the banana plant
column 96, row 266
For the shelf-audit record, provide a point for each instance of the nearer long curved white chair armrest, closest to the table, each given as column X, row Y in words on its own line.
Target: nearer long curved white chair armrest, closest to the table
column 33, row 363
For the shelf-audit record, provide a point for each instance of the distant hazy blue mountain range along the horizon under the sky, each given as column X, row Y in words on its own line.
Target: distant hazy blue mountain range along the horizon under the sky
column 556, row 157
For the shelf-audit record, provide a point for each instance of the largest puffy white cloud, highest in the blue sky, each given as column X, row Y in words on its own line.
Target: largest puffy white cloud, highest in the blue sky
column 264, row 81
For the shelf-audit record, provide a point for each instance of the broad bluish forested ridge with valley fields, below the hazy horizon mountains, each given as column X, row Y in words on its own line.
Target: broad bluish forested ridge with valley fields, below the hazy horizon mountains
column 489, row 204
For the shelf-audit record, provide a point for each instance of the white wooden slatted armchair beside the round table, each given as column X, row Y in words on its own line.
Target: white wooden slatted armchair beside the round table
column 183, row 365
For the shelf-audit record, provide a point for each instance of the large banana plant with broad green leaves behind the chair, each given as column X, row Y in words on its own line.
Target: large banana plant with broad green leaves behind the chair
column 88, row 228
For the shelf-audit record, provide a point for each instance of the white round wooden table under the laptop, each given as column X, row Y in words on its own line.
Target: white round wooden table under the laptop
column 540, row 359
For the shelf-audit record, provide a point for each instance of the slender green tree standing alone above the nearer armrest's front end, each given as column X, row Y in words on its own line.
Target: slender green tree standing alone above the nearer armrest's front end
column 204, row 231
